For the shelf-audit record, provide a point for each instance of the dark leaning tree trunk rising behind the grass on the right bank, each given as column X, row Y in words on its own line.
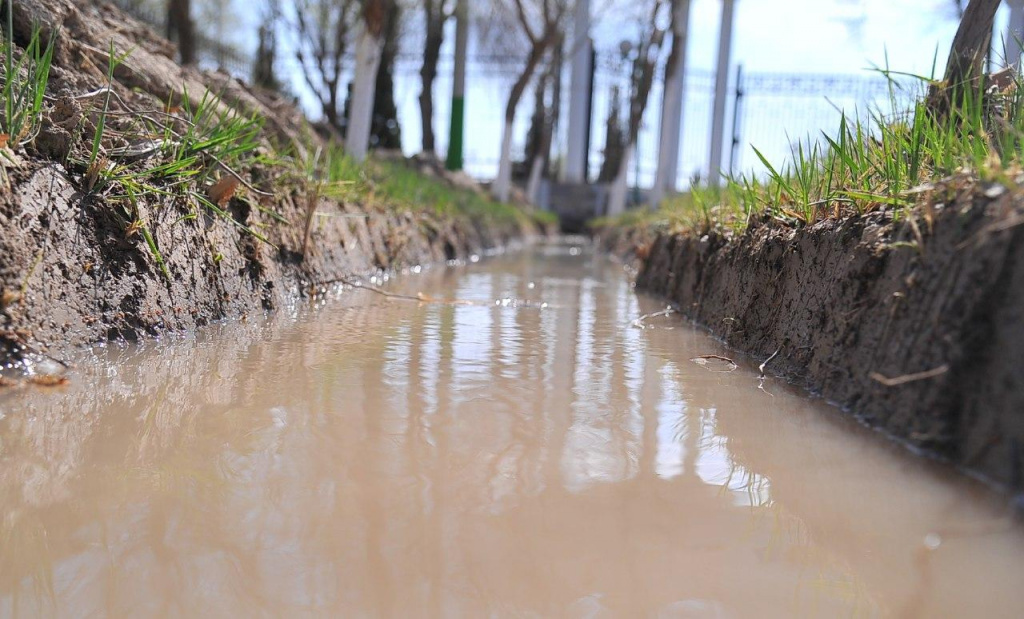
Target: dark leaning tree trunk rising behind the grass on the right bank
column 967, row 58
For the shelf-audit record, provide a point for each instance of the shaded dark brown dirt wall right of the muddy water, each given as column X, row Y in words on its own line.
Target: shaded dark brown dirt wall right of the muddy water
column 915, row 325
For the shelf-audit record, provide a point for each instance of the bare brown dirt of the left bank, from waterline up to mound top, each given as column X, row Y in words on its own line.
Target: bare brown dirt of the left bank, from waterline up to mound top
column 74, row 267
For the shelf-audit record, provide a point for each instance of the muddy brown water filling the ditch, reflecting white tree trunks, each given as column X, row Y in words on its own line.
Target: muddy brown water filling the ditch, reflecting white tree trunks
column 531, row 455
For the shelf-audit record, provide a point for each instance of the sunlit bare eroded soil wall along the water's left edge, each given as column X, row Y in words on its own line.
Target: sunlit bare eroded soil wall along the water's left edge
column 74, row 277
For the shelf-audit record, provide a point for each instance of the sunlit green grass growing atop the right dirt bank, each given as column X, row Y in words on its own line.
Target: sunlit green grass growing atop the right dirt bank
column 884, row 161
